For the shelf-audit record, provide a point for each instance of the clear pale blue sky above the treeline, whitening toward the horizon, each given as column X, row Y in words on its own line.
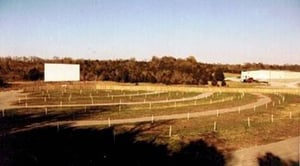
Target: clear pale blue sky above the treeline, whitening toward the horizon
column 213, row 31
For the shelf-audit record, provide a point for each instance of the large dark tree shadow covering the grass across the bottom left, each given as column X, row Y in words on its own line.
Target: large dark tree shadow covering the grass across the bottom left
column 70, row 146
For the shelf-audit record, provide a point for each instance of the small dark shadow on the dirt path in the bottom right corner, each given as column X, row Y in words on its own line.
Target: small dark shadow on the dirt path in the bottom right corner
column 270, row 159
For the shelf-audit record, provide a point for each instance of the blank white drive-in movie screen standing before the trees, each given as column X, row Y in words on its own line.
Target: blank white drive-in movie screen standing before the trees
column 61, row 72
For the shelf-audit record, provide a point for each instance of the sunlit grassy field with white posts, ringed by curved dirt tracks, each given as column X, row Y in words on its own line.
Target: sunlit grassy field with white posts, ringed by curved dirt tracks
column 230, row 131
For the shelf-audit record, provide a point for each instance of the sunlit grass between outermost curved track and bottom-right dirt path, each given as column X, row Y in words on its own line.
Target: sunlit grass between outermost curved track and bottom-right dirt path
column 232, row 128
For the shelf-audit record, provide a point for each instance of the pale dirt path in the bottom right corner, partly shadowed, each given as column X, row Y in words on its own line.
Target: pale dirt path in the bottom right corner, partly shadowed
column 287, row 150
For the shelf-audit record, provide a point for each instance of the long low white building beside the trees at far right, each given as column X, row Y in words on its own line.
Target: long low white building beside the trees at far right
column 266, row 75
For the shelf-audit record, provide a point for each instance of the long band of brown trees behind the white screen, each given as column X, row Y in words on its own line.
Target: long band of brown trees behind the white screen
column 168, row 70
